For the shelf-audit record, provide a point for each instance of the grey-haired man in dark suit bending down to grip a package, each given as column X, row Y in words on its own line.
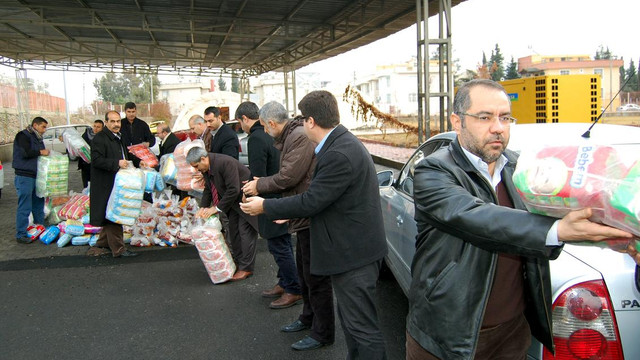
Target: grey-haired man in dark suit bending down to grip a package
column 227, row 175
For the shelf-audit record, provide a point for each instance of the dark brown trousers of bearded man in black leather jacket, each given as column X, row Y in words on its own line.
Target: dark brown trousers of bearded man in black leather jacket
column 507, row 341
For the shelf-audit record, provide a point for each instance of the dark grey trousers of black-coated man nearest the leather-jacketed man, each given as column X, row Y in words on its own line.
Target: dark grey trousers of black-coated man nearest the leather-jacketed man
column 356, row 300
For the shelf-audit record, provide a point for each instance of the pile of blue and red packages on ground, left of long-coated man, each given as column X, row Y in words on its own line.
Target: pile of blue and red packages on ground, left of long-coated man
column 69, row 216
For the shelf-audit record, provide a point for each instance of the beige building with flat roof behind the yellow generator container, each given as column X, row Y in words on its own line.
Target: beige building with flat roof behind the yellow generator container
column 537, row 65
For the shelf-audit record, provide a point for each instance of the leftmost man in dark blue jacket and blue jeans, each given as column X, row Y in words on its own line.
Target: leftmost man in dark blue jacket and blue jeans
column 27, row 146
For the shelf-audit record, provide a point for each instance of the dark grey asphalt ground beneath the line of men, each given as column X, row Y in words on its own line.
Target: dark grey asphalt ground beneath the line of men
column 58, row 304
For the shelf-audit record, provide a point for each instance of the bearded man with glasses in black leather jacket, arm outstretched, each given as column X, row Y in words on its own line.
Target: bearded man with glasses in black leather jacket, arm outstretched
column 481, row 284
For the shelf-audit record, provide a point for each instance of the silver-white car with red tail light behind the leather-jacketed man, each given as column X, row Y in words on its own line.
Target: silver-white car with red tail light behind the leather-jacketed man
column 596, row 291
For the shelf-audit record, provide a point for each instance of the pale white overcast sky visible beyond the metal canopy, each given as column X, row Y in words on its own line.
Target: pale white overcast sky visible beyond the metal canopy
column 519, row 27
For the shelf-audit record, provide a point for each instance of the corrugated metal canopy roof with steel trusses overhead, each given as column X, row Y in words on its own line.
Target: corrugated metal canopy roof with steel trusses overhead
column 192, row 36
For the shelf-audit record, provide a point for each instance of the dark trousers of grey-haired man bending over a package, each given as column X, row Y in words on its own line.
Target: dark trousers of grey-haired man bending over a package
column 242, row 240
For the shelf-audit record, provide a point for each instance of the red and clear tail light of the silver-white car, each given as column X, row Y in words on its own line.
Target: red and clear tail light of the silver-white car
column 584, row 324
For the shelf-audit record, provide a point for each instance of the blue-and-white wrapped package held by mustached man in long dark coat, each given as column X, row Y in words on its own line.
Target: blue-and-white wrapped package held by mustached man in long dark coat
column 125, row 202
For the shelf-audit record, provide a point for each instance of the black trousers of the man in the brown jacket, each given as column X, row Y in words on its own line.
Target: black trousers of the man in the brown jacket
column 317, row 293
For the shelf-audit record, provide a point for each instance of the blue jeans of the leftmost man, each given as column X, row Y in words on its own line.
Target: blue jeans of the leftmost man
column 28, row 203
